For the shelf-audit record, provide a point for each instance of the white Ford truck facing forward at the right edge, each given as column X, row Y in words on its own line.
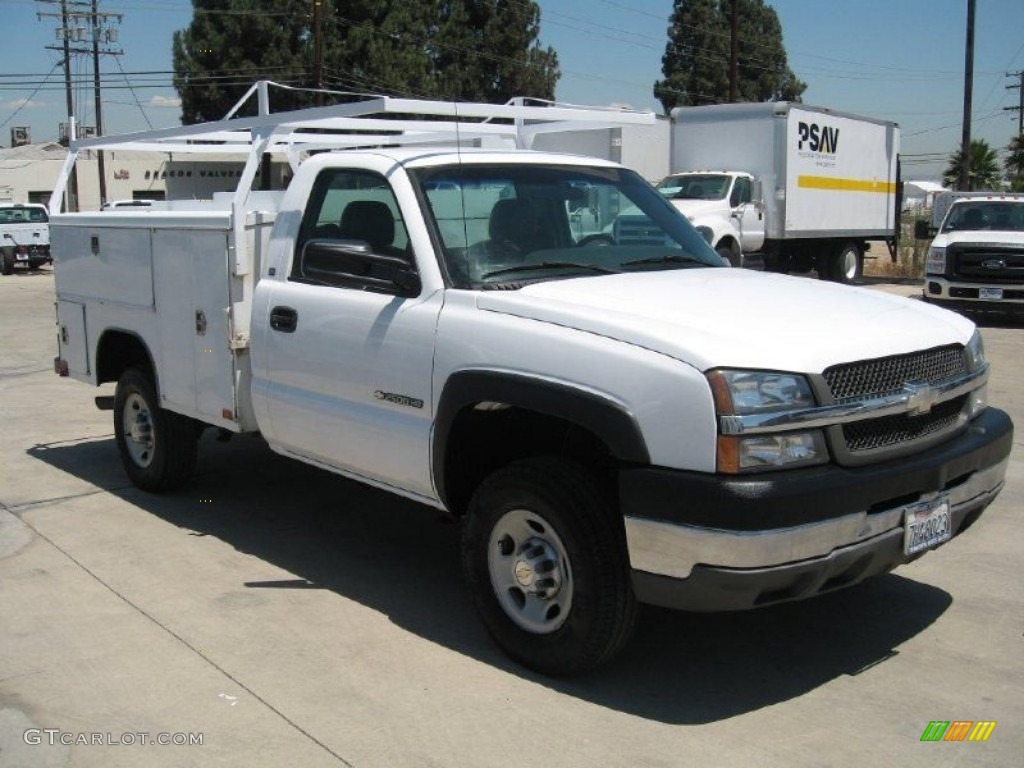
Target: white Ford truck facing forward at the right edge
column 975, row 263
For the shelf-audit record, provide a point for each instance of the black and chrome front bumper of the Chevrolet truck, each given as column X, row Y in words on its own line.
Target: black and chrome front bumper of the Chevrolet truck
column 713, row 543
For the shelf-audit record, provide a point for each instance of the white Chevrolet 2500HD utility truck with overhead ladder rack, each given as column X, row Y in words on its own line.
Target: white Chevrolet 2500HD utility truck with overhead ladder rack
column 614, row 422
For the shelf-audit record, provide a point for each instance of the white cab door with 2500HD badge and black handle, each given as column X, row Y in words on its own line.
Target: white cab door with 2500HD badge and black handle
column 348, row 371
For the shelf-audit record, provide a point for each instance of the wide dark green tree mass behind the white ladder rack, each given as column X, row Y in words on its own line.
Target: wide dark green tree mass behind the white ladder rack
column 470, row 50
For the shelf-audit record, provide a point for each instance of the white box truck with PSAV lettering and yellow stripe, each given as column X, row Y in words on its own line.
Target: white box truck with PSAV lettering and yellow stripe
column 800, row 188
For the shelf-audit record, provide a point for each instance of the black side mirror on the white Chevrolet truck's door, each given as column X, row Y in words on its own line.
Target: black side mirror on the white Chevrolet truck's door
column 353, row 264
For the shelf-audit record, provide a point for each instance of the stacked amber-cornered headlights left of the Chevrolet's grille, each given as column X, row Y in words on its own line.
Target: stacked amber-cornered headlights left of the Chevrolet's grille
column 755, row 393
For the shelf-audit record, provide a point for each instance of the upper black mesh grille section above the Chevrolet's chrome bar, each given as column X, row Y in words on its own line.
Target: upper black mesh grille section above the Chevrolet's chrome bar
column 888, row 375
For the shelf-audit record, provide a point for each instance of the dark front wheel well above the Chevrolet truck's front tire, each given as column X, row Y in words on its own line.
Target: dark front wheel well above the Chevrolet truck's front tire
column 486, row 437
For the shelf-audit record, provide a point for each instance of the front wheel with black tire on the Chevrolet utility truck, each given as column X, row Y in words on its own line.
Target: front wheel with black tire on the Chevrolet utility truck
column 567, row 511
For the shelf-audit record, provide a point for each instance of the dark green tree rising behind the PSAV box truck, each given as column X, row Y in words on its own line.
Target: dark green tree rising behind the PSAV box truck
column 696, row 64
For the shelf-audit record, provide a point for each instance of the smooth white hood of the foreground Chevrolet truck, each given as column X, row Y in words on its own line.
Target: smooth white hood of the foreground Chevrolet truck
column 722, row 318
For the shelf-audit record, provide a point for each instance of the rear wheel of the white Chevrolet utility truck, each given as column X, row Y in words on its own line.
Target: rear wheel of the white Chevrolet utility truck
column 158, row 447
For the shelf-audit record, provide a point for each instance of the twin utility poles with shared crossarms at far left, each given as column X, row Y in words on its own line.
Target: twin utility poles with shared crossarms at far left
column 79, row 20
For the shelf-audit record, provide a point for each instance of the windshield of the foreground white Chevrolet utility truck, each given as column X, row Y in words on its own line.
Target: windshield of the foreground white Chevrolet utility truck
column 505, row 226
